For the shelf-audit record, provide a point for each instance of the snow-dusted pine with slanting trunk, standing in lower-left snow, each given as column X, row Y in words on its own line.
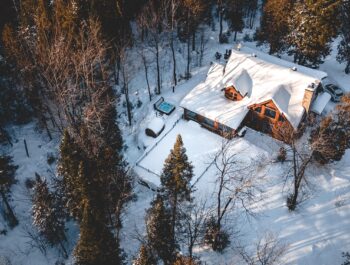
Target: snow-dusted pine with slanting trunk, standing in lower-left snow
column 48, row 215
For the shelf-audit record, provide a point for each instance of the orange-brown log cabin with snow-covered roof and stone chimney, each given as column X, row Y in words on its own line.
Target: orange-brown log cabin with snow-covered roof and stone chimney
column 256, row 90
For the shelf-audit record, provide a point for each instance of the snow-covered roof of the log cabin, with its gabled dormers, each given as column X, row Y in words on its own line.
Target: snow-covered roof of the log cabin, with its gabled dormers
column 263, row 77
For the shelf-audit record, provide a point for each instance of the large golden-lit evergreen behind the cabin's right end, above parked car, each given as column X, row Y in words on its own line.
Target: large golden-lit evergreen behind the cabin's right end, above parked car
column 313, row 24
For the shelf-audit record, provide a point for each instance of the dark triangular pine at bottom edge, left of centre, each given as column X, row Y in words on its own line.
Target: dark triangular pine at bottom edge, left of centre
column 96, row 243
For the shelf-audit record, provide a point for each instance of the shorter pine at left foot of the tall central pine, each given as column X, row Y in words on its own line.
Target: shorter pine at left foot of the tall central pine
column 158, row 227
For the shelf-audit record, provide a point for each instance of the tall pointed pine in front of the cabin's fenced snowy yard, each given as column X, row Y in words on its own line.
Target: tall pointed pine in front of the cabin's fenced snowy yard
column 176, row 182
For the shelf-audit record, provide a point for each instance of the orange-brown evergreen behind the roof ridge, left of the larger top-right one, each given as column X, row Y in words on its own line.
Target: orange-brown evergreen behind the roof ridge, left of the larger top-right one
column 274, row 24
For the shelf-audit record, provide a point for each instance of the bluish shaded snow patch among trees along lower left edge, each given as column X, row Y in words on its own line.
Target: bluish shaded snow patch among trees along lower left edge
column 17, row 245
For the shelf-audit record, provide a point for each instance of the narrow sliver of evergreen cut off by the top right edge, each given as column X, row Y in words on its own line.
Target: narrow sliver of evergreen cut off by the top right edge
column 344, row 45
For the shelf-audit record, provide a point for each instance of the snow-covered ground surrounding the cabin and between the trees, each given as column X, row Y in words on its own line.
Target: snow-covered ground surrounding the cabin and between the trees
column 316, row 233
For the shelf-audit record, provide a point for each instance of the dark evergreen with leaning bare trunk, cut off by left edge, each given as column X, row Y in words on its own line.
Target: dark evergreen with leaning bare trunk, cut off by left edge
column 7, row 179
